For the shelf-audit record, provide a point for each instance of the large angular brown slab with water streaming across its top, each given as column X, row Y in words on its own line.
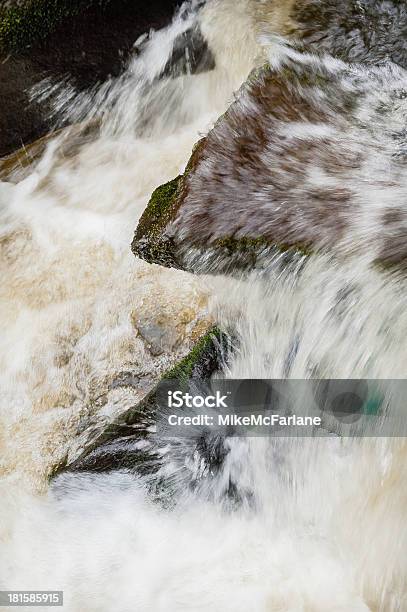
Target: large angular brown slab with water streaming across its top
column 310, row 157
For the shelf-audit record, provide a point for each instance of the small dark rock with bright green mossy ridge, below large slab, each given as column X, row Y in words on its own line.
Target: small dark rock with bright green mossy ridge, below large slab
column 115, row 447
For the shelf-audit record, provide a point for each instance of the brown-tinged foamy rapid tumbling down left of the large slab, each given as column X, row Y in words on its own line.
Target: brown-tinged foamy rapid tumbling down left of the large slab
column 77, row 309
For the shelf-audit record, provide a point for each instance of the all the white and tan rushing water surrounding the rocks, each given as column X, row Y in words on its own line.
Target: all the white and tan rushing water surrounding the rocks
column 323, row 528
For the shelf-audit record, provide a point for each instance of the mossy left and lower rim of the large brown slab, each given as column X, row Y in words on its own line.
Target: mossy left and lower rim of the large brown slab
column 155, row 240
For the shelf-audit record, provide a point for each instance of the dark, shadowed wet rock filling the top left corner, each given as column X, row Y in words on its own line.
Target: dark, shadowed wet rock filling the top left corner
column 83, row 43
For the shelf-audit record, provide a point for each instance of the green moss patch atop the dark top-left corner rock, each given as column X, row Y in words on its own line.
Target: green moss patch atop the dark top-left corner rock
column 21, row 25
